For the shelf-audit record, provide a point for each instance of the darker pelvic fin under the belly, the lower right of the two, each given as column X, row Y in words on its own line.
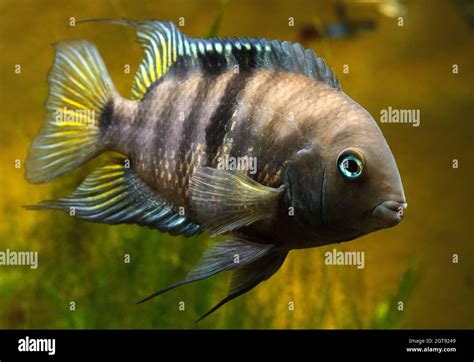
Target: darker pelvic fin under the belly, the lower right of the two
column 250, row 275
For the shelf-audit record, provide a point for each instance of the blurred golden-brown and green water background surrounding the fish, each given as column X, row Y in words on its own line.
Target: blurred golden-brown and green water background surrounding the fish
column 389, row 65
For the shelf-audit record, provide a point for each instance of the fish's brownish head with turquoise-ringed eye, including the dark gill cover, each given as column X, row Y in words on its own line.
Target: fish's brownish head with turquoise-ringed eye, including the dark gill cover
column 346, row 183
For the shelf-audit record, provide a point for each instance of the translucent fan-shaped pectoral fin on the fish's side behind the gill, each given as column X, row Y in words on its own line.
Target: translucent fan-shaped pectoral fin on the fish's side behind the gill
column 228, row 200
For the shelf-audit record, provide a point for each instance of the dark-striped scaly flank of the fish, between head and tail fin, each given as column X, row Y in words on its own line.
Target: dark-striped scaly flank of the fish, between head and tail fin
column 183, row 125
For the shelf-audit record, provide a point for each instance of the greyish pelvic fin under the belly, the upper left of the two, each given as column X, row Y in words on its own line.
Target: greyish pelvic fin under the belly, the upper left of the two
column 221, row 256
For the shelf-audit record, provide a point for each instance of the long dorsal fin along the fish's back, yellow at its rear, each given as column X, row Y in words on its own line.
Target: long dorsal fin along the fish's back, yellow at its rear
column 166, row 48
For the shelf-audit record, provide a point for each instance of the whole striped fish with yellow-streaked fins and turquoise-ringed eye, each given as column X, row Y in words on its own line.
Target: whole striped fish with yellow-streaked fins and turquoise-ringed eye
column 323, row 173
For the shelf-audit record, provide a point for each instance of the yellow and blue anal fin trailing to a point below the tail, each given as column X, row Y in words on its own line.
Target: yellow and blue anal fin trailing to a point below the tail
column 114, row 194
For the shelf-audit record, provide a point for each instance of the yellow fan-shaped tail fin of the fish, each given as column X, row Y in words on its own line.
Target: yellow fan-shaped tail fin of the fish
column 80, row 93
